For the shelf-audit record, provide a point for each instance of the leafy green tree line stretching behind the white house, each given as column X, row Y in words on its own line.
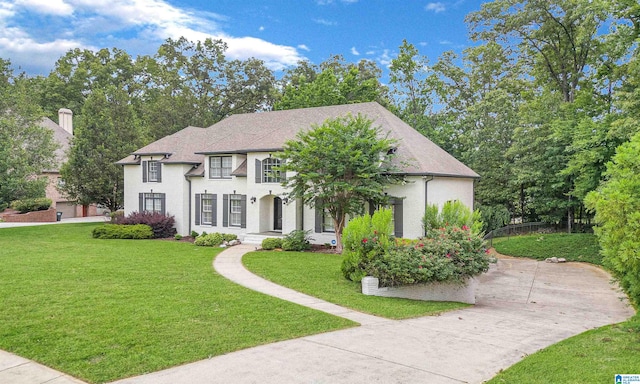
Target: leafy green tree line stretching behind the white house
column 537, row 106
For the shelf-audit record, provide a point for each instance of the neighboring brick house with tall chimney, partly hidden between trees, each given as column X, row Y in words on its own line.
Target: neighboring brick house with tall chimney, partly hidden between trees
column 62, row 134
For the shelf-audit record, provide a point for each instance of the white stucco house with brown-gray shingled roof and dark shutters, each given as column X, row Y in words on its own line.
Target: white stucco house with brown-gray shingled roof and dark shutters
column 219, row 179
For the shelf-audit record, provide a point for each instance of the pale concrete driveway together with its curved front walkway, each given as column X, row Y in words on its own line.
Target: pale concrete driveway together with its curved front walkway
column 523, row 306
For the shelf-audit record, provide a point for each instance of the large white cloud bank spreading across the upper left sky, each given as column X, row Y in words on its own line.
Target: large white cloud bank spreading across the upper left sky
column 140, row 23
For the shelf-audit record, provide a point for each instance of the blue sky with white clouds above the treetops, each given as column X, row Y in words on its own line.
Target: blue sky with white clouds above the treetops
column 35, row 33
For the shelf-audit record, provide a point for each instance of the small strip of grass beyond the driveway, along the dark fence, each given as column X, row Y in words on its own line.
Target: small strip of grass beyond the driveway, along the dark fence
column 573, row 247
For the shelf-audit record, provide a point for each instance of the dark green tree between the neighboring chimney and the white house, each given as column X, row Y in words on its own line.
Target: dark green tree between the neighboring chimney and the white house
column 107, row 131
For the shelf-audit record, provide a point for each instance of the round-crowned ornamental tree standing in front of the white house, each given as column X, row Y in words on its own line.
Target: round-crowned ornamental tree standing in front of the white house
column 339, row 166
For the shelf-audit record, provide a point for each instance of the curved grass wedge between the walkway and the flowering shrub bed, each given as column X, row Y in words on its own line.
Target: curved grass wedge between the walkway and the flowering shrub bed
column 319, row 275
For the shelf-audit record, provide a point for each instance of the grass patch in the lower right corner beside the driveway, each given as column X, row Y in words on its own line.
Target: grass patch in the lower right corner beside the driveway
column 592, row 357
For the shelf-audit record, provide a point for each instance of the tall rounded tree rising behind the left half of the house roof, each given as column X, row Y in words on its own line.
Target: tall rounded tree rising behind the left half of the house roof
column 205, row 86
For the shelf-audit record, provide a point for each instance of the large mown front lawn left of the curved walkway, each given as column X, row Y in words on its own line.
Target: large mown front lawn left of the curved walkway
column 107, row 309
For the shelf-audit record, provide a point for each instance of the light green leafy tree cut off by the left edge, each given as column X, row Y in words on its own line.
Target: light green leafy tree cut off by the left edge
column 26, row 148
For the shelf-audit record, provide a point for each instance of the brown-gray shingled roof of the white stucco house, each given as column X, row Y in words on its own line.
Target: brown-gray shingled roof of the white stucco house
column 268, row 131
